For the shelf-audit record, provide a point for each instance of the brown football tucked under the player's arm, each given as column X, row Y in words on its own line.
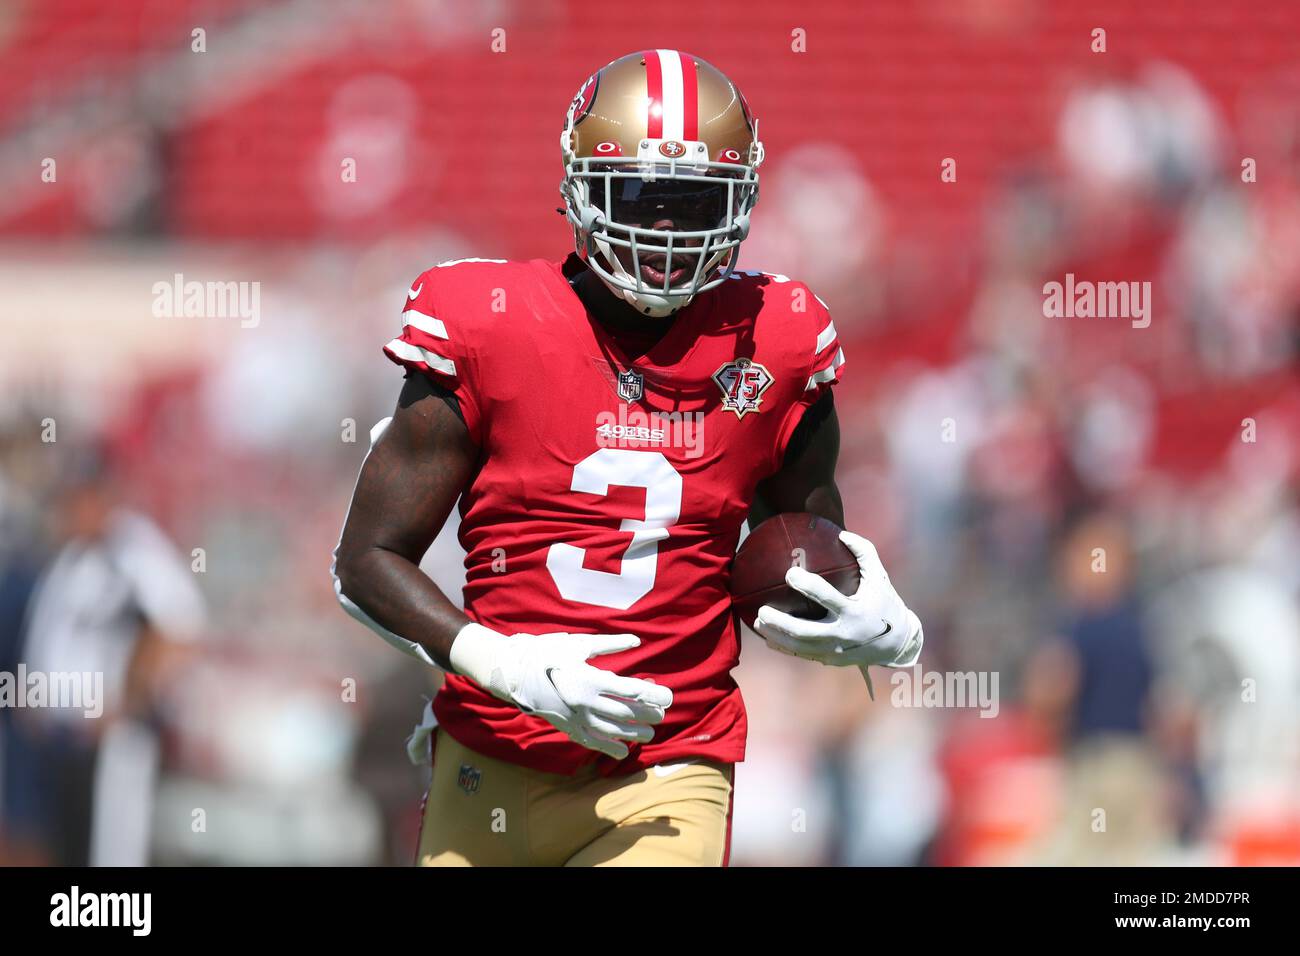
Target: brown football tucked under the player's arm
column 773, row 548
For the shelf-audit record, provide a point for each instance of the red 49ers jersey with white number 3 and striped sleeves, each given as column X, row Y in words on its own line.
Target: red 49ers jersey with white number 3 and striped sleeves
column 612, row 492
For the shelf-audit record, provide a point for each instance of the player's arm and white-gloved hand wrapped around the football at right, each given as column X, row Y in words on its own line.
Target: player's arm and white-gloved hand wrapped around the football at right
column 869, row 628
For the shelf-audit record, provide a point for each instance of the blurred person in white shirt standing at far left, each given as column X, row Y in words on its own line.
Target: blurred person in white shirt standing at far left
column 111, row 604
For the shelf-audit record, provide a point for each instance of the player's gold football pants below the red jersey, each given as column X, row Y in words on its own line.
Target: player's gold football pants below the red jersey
column 484, row 812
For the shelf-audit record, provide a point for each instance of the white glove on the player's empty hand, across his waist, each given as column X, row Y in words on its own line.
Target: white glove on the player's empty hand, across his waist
column 549, row 676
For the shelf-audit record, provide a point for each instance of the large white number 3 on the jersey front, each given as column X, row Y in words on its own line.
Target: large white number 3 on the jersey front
column 595, row 475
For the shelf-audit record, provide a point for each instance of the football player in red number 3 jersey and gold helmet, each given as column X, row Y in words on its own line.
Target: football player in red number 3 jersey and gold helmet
column 608, row 423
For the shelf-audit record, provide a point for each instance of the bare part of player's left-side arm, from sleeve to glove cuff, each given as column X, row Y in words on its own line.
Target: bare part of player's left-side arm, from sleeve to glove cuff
column 409, row 485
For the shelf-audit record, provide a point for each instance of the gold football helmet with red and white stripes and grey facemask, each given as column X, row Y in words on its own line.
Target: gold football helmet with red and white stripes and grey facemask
column 661, row 174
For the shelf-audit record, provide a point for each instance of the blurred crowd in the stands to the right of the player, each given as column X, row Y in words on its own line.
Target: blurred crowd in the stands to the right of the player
column 1104, row 517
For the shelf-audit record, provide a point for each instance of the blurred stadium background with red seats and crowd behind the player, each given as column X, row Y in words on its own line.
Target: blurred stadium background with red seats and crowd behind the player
column 1121, row 691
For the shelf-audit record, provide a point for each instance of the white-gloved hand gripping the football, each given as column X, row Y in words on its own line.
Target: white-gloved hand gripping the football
column 870, row 628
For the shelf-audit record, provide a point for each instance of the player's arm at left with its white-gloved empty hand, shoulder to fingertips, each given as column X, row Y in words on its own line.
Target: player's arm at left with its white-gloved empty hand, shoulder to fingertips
column 413, row 477
